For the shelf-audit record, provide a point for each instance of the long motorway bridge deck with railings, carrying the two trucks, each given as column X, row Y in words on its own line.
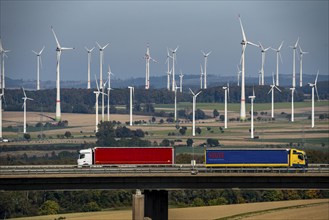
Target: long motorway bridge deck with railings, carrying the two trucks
column 160, row 178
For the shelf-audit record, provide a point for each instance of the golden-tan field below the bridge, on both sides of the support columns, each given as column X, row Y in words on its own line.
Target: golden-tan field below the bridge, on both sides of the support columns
column 295, row 209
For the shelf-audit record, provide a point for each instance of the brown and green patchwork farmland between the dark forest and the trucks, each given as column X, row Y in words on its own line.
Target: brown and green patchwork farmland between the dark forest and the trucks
column 278, row 132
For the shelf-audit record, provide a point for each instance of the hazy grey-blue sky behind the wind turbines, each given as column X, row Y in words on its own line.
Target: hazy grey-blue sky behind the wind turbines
column 129, row 25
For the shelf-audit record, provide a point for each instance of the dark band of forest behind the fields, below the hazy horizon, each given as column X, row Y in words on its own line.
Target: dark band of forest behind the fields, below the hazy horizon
column 83, row 100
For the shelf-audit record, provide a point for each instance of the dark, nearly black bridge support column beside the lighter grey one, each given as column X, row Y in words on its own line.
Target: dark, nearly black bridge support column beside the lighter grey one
column 156, row 204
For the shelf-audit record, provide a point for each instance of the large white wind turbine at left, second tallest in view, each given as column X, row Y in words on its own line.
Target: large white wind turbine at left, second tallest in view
column 59, row 50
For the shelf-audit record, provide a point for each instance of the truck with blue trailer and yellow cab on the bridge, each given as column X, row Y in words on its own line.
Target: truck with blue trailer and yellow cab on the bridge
column 215, row 157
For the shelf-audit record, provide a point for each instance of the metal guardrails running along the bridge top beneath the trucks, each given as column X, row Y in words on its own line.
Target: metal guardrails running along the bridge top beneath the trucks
column 68, row 169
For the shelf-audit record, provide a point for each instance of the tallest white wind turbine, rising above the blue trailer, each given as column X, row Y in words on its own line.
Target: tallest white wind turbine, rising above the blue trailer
column 244, row 45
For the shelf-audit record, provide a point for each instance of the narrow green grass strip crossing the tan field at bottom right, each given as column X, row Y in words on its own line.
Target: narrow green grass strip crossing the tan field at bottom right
column 250, row 214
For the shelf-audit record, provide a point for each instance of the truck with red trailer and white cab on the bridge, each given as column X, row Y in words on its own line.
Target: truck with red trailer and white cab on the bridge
column 126, row 156
